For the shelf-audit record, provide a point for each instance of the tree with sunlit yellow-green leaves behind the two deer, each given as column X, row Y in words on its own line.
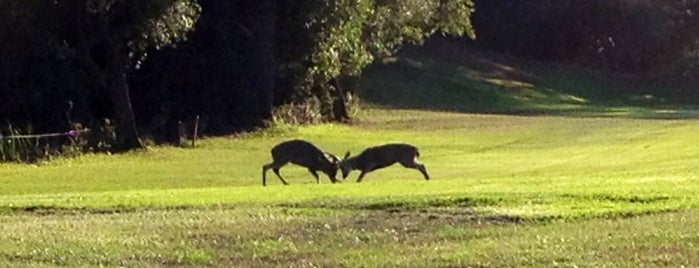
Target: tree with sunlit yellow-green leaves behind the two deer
column 335, row 39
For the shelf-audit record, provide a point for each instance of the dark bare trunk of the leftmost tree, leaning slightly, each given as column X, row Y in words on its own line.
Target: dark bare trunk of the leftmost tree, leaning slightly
column 124, row 119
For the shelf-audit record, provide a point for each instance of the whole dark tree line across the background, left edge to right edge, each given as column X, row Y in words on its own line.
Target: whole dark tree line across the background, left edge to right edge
column 147, row 64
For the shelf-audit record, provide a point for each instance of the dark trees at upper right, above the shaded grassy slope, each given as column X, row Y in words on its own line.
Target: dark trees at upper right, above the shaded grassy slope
column 638, row 37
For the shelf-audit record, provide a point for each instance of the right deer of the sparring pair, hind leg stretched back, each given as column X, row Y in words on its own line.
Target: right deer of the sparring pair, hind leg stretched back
column 382, row 156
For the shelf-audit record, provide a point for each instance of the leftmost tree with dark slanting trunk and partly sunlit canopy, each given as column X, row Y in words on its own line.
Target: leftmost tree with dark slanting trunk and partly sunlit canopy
column 103, row 38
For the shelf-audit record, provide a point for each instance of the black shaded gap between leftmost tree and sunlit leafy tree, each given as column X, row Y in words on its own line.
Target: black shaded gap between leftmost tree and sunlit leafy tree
column 221, row 73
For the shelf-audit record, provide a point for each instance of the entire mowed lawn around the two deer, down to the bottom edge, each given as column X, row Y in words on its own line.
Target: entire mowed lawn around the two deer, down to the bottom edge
column 505, row 191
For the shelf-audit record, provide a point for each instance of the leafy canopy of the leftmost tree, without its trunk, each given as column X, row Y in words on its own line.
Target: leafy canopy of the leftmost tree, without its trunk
column 79, row 25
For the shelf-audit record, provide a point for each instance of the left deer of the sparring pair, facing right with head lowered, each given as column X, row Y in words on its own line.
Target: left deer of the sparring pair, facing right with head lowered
column 302, row 153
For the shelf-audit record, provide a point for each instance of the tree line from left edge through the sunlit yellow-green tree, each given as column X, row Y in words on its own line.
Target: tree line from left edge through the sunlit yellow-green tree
column 146, row 64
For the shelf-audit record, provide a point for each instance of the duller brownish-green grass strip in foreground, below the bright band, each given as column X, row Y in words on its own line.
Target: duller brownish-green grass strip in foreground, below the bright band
column 281, row 237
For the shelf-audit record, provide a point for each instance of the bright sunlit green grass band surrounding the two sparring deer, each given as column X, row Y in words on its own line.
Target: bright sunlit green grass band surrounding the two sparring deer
column 534, row 166
